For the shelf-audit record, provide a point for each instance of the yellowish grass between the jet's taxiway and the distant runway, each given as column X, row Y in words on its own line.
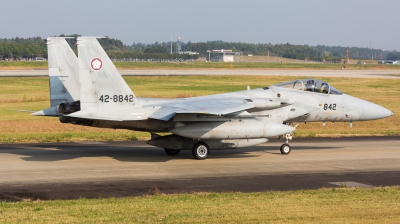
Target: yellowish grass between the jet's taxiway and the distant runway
column 31, row 93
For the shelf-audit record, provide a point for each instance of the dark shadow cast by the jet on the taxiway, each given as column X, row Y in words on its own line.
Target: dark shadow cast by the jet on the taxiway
column 128, row 153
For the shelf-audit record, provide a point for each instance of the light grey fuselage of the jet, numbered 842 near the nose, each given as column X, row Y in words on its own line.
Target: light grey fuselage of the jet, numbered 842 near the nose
column 300, row 106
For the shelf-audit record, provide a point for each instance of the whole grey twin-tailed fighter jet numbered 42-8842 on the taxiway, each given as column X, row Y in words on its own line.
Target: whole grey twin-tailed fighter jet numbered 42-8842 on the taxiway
column 88, row 90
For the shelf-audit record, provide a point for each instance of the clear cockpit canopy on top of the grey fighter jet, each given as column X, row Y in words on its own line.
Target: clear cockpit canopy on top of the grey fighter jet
column 310, row 85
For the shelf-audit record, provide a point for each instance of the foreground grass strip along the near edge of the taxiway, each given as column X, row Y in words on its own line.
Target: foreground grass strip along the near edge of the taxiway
column 337, row 205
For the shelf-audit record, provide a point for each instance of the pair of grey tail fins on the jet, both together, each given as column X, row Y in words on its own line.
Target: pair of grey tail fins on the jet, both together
column 88, row 86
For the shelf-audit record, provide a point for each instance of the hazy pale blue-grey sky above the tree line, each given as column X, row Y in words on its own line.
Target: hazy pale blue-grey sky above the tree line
column 334, row 23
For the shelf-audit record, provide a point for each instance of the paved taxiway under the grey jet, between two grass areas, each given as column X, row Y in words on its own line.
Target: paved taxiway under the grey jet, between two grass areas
column 117, row 169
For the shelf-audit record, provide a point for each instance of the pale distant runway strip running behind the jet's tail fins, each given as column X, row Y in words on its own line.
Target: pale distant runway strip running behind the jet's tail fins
column 393, row 74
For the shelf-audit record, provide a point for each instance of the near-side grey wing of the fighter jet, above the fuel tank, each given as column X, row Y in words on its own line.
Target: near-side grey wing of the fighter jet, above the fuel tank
column 201, row 106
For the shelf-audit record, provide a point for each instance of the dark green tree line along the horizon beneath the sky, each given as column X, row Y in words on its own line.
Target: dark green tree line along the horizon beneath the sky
column 28, row 48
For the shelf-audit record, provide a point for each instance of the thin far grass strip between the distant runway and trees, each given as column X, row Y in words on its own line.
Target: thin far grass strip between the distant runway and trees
column 287, row 64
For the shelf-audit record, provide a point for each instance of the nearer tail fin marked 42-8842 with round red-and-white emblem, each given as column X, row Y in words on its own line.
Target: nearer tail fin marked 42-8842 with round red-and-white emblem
column 104, row 88
